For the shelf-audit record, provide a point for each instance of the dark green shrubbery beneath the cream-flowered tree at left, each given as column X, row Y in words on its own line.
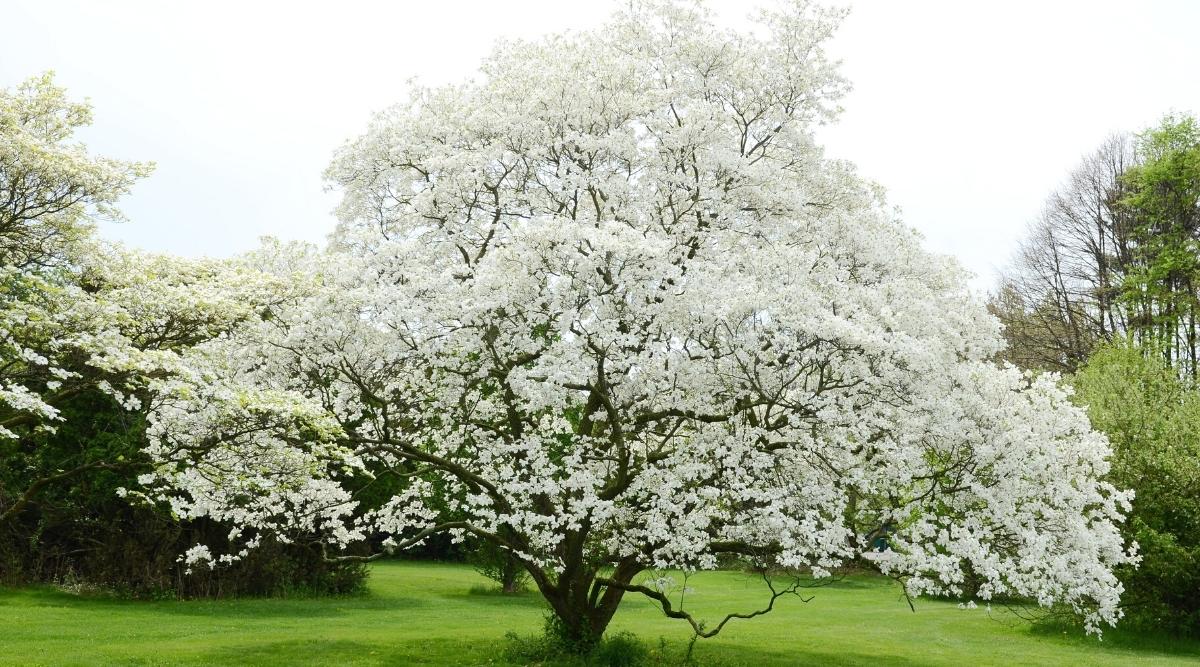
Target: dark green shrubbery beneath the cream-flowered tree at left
column 81, row 532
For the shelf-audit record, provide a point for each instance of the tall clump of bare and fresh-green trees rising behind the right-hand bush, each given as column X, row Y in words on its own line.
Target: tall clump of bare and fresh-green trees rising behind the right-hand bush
column 1115, row 253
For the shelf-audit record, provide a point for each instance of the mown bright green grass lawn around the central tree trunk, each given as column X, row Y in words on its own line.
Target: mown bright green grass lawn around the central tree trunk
column 421, row 614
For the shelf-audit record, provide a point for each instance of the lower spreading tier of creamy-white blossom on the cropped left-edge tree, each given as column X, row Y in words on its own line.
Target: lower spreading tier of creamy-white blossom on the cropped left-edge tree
column 113, row 320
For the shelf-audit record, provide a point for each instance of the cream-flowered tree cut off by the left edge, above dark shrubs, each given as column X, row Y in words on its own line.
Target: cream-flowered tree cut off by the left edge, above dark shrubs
column 79, row 316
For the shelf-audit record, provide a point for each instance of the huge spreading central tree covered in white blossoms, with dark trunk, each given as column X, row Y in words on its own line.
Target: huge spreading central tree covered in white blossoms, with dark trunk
column 610, row 309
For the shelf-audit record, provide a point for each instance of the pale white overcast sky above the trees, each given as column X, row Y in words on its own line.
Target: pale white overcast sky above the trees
column 969, row 113
